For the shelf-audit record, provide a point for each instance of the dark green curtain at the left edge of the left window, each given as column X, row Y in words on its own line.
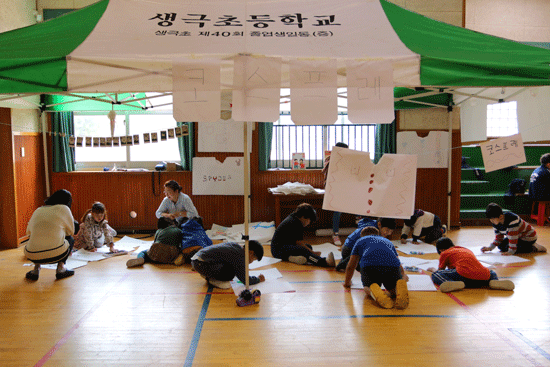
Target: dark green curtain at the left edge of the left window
column 62, row 128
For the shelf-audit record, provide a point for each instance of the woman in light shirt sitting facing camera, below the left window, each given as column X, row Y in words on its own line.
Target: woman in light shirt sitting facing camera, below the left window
column 176, row 205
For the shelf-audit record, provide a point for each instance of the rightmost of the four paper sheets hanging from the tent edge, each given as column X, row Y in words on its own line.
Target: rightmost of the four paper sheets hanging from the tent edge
column 370, row 92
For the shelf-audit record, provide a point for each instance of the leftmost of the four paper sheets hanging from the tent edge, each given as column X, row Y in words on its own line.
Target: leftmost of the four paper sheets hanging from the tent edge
column 196, row 90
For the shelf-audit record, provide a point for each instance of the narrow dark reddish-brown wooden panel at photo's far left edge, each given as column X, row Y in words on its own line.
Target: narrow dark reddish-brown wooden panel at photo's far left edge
column 8, row 203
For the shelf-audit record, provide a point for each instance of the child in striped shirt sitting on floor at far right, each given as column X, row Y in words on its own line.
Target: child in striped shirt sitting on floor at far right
column 513, row 234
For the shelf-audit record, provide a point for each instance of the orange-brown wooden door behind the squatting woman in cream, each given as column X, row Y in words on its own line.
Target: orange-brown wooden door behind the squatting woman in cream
column 30, row 177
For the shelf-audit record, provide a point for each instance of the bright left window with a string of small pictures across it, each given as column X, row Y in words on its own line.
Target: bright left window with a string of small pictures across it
column 144, row 155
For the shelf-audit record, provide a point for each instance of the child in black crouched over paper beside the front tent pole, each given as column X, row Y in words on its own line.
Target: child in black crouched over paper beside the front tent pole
column 219, row 264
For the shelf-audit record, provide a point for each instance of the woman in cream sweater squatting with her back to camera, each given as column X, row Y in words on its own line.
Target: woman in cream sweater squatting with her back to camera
column 50, row 231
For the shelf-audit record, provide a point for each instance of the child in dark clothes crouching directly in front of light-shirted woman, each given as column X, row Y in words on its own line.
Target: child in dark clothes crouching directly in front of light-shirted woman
column 166, row 247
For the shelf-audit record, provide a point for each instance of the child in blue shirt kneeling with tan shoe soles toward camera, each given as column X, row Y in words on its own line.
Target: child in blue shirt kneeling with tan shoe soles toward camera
column 379, row 265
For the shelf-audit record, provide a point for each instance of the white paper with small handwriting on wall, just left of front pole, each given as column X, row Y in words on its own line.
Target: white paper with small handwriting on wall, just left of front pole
column 211, row 177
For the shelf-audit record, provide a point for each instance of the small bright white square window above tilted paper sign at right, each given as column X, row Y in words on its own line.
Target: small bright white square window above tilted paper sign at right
column 502, row 119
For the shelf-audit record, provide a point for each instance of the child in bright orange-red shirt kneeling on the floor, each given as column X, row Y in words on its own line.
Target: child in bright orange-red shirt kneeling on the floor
column 459, row 268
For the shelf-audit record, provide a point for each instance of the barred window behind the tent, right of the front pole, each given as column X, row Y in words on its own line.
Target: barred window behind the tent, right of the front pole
column 314, row 140
